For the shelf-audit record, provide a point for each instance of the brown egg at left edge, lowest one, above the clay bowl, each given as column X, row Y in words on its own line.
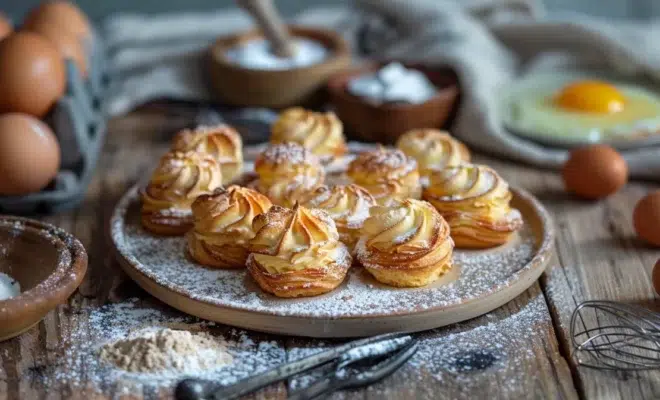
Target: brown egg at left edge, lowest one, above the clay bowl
column 29, row 154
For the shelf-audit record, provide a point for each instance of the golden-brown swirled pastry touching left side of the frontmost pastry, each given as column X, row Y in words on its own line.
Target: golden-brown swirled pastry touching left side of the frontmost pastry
column 223, row 226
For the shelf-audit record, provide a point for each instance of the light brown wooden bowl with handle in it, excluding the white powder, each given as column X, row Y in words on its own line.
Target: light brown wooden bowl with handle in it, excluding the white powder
column 240, row 86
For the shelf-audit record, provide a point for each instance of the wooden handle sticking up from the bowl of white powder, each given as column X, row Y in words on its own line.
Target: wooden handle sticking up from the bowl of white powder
column 270, row 22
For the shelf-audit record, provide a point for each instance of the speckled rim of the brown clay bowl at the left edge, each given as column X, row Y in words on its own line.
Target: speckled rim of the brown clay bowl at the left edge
column 57, row 286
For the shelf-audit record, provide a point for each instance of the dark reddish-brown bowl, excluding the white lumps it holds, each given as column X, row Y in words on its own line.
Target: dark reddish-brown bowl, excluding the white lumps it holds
column 386, row 122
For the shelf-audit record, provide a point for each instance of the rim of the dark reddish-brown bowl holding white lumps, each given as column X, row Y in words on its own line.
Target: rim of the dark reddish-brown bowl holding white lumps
column 337, row 87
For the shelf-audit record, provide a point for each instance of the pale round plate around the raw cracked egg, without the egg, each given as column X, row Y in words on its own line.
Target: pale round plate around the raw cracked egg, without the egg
column 630, row 136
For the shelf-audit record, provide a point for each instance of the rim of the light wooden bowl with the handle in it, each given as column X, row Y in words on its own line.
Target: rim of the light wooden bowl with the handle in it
column 338, row 46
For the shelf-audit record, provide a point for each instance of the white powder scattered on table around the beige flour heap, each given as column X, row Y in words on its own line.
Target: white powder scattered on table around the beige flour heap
column 81, row 365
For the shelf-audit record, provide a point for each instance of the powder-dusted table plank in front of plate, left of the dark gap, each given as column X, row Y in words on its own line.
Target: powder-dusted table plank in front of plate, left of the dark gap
column 509, row 353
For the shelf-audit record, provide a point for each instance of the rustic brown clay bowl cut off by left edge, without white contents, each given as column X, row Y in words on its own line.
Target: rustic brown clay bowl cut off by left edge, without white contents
column 49, row 264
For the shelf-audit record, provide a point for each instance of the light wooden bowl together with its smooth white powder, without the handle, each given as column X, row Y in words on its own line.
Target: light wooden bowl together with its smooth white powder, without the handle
column 244, row 71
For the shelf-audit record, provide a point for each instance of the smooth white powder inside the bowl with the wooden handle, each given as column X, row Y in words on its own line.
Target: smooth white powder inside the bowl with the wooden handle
column 257, row 54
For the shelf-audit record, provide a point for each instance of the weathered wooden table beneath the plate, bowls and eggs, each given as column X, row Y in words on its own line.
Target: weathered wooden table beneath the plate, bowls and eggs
column 597, row 257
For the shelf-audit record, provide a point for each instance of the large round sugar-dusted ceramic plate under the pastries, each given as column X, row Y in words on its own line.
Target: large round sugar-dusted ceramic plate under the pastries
column 479, row 282
